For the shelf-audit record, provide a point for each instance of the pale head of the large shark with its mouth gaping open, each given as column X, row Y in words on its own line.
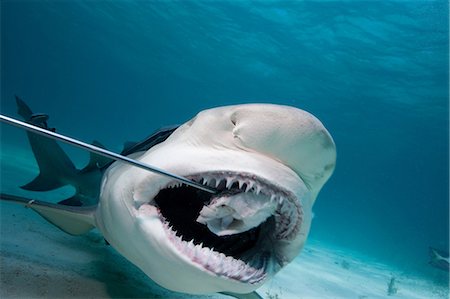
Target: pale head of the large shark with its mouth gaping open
column 268, row 164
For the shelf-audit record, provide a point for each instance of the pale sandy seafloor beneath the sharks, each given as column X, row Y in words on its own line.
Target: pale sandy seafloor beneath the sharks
column 40, row 261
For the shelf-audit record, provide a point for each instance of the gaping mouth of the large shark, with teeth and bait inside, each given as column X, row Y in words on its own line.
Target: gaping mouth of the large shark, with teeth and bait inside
column 248, row 254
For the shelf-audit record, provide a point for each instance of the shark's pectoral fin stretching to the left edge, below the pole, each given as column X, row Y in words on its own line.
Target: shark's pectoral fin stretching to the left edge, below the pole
column 72, row 220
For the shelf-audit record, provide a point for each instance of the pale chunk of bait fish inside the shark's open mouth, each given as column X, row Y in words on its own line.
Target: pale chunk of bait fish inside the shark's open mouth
column 230, row 214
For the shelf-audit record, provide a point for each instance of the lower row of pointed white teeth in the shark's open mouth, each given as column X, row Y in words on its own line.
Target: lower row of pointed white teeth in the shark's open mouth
column 216, row 262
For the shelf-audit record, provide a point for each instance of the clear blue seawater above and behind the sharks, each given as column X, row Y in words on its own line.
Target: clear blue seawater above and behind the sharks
column 375, row 73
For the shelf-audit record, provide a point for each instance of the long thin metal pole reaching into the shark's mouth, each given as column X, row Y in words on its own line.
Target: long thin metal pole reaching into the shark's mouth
column 102, row 152
